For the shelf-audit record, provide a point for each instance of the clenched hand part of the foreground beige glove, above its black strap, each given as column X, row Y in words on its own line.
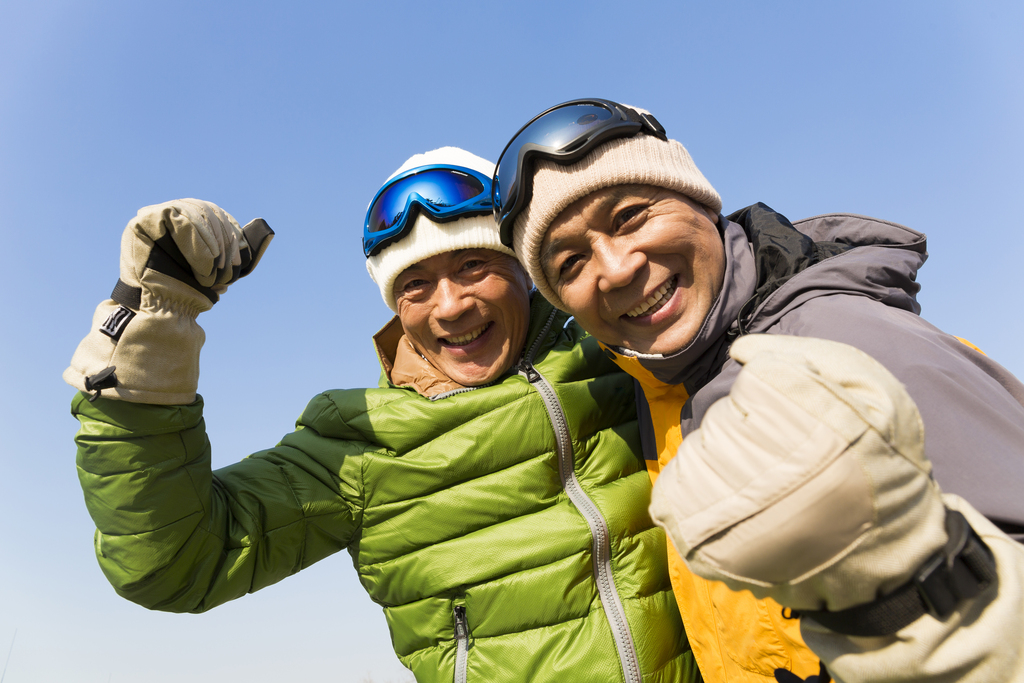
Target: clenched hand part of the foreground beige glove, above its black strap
column 808, row 484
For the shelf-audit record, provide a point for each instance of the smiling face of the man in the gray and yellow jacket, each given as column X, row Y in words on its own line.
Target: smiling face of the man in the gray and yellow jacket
column 638, row 267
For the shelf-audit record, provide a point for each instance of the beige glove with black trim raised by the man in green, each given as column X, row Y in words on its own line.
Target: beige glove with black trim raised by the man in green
column 177, row 260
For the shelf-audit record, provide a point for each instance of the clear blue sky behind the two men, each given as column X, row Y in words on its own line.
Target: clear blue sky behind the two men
column 913, row 112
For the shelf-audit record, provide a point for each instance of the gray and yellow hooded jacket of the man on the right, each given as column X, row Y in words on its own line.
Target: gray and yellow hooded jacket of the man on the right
column 848, row 279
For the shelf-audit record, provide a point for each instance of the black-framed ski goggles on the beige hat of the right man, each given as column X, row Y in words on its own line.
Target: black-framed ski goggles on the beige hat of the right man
column 564, row 134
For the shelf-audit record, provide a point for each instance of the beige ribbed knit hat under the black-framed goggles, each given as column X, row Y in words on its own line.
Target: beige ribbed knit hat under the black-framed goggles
column 643, row 160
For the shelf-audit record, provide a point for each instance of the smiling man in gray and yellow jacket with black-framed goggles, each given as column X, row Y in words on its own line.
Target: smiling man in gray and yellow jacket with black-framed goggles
column 809, row 482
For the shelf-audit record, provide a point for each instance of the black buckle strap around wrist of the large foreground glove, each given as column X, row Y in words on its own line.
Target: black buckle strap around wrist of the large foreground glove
column 961, row 571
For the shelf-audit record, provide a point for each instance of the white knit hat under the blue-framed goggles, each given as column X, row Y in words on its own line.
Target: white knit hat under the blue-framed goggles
column 430, row 239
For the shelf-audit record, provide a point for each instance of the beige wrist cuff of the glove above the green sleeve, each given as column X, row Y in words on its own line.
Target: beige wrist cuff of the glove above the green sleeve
column 154, row 353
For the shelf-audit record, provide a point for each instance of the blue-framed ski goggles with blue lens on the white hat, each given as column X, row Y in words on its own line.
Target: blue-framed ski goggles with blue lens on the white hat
column 443, row 192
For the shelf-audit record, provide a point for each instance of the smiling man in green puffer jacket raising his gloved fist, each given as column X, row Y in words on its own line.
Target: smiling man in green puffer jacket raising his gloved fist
column 489, row 493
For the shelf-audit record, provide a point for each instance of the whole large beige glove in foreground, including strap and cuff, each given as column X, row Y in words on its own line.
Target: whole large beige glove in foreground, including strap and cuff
column 808, row 485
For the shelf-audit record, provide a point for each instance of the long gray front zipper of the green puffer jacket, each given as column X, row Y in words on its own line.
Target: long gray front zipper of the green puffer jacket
column 599, row 528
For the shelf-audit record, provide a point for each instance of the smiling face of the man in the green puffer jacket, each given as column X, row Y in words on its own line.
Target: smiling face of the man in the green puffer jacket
column 466, row 312
